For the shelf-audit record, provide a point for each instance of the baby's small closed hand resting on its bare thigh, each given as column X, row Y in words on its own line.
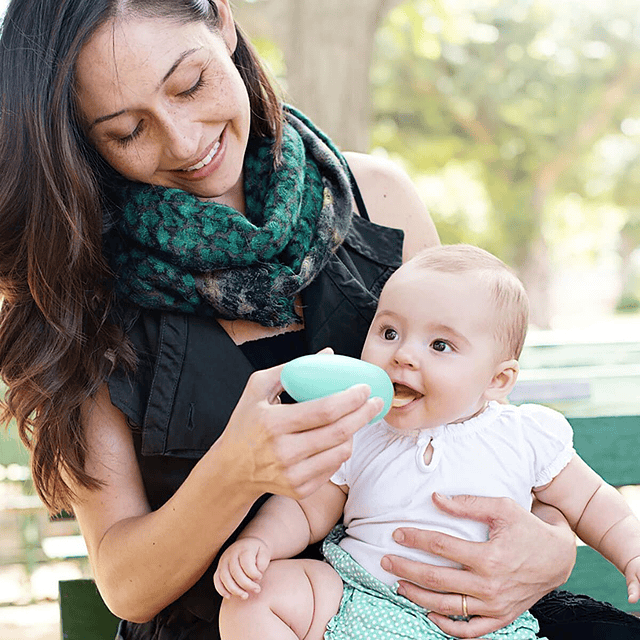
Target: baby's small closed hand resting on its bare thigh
column 241, row 568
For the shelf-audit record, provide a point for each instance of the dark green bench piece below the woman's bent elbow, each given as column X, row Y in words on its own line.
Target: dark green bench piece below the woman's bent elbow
column 83, row 614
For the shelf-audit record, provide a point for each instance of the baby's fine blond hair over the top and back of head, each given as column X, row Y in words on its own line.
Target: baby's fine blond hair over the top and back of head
column 506, row 290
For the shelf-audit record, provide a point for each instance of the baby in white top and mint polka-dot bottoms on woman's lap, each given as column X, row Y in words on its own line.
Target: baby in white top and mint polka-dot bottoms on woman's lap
column 448, row 330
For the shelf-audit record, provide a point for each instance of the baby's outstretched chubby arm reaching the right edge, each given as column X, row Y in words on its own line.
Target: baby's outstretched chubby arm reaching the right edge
column 600, row 516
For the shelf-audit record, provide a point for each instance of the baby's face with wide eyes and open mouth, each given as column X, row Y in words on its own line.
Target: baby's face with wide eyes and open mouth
column 433, row 333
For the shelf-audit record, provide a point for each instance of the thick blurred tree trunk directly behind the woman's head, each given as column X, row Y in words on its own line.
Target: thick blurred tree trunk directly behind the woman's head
column 327, row 48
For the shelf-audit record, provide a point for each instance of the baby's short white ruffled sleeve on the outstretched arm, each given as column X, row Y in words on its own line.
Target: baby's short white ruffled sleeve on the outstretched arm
column 550, row 437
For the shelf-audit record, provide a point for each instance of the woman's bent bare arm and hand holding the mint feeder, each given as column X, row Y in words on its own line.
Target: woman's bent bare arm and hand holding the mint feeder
column 143, row 560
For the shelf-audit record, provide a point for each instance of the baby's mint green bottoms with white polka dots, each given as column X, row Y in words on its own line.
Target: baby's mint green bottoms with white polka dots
column 372, row 610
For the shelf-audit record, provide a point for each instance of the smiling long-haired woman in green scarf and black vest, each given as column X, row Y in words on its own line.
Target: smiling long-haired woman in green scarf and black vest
column 149, row 129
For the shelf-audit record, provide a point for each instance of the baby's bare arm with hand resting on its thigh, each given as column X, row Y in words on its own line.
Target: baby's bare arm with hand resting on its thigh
column 282, row 528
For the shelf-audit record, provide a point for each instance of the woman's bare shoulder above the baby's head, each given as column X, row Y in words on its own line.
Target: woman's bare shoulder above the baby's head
column 392, row 200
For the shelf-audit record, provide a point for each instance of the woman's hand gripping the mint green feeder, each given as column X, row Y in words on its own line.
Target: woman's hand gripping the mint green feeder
column 293, row 449
